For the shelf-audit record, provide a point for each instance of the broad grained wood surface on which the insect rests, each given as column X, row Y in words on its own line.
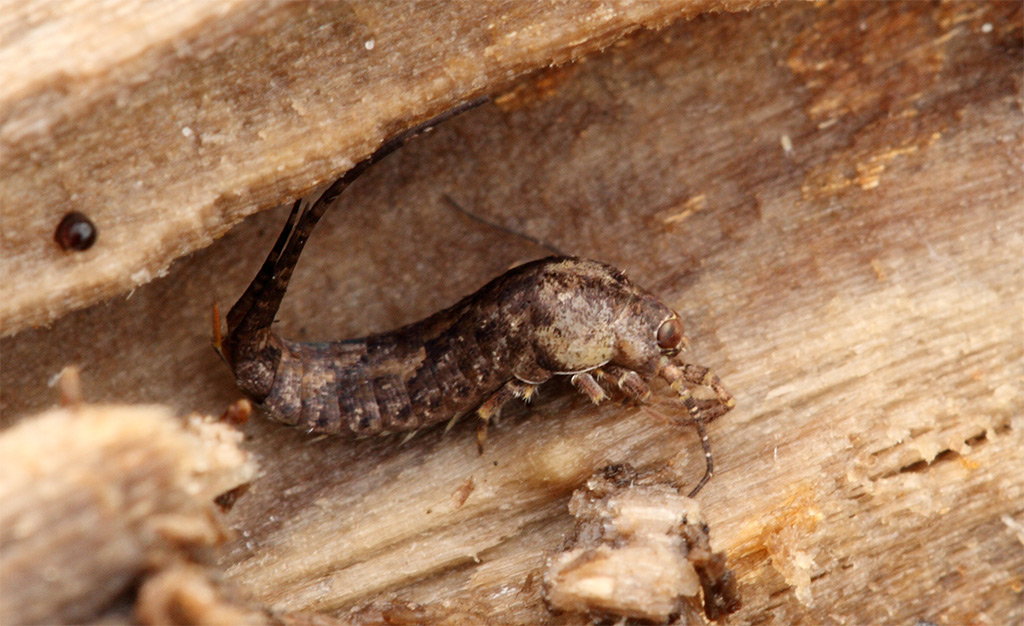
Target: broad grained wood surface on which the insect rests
column 831, row 196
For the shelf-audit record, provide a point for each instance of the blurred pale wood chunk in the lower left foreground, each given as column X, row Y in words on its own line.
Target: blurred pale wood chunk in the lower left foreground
column 97, row 496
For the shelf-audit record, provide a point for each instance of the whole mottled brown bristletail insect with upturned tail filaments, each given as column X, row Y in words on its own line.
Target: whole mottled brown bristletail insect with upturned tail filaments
column 560, row 316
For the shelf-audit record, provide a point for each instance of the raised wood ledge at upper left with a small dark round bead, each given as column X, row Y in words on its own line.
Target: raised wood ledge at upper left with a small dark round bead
column 168, row 122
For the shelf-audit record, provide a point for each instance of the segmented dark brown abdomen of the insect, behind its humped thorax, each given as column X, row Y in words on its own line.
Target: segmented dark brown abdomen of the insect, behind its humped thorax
column 414, row 378
